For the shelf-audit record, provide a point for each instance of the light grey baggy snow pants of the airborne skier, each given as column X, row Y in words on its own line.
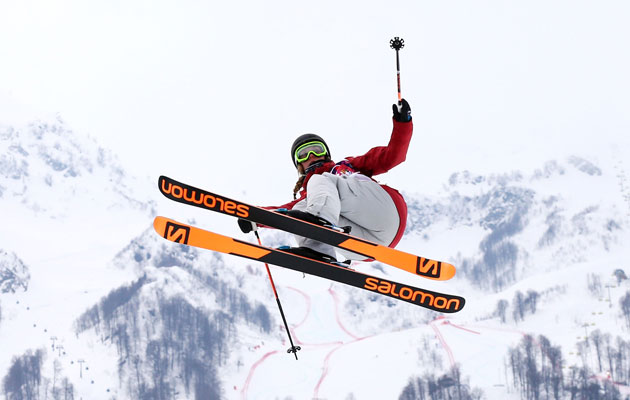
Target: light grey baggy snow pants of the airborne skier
column 350, row 200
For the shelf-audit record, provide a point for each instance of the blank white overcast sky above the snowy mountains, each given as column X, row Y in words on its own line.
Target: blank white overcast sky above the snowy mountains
column 214, row 92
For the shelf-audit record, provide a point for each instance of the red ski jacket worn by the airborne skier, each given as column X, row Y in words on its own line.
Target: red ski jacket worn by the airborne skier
column 376, row 161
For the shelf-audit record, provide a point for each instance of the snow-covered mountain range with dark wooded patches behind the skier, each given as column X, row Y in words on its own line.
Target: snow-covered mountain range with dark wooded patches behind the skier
column 95, row 305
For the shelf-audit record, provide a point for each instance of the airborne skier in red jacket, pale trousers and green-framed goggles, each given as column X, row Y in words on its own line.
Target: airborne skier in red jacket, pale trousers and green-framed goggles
column 345, row 194
